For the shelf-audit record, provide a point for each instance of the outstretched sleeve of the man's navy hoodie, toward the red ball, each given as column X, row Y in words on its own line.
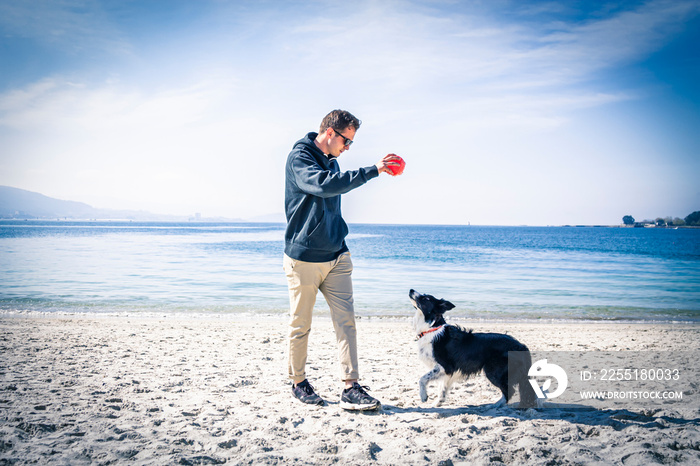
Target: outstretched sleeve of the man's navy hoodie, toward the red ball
column 313, row 179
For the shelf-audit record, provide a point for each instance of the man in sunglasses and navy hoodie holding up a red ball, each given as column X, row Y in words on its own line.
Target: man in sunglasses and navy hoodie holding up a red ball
column 316, row 256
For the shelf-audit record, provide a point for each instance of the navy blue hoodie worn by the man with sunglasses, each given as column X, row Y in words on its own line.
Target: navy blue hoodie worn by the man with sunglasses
column 315, row 227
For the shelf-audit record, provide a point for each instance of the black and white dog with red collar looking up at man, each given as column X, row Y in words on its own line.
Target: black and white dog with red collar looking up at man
column 454, row 353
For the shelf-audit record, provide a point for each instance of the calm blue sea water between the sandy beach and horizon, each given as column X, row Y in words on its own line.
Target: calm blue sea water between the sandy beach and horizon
column 489, row 273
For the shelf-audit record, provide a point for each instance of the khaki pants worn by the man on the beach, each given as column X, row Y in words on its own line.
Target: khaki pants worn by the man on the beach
column 334, row 279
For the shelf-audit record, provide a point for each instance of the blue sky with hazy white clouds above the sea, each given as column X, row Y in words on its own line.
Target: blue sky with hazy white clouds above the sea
column 506, row 112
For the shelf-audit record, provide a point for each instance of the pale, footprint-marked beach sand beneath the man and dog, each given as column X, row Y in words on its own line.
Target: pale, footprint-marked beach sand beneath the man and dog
column 79, row 390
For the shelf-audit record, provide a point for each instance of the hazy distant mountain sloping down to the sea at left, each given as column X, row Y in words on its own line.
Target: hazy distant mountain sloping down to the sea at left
column 20, row 204
